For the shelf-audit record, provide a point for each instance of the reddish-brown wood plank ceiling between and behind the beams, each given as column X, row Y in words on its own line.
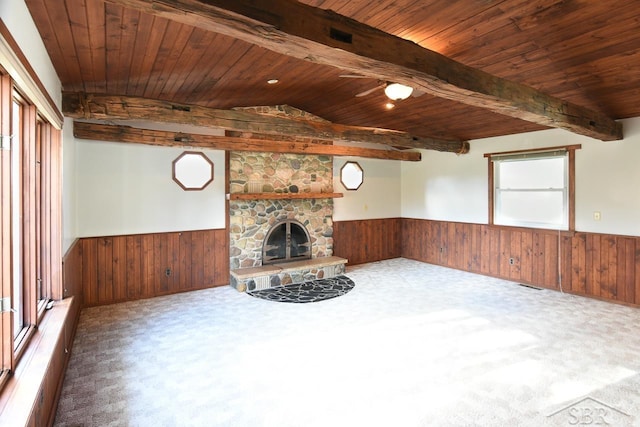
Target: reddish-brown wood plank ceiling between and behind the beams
column 584, row 52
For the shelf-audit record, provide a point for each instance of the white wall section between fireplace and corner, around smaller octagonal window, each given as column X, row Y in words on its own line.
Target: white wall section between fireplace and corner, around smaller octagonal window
column 377, row 197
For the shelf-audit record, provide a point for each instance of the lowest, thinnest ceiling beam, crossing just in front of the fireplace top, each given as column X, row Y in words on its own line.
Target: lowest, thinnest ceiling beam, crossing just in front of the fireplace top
column 115, row 133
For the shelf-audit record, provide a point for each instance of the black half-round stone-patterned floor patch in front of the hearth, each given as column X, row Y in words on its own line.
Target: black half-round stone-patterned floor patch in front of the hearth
column 311, row 291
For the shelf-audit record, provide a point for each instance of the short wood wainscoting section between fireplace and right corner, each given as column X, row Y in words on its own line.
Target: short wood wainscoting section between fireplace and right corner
column 367, row 240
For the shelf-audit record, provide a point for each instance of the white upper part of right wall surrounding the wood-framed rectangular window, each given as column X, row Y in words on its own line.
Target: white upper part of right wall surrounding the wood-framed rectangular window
column 454, row 188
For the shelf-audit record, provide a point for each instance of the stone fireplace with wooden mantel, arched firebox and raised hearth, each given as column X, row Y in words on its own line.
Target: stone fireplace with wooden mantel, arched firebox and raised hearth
column 279, row 211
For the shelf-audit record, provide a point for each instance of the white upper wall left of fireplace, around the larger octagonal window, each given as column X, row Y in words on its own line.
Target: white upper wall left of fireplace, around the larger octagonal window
column 129, row 189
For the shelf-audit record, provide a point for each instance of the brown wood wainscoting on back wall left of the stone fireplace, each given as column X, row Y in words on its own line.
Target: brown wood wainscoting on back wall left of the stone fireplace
column 124, row 268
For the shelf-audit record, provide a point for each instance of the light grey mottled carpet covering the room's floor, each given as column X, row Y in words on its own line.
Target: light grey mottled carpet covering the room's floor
column 411, row 345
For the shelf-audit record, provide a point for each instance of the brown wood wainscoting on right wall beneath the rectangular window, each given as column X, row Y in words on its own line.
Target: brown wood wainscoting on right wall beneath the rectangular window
column 604, row 266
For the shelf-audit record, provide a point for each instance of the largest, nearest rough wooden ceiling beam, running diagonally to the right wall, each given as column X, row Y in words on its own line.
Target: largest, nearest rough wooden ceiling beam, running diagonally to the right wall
column 325, row 37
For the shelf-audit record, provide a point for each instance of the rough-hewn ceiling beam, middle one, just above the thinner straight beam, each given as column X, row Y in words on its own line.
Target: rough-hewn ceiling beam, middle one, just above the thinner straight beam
column 110, row 107
